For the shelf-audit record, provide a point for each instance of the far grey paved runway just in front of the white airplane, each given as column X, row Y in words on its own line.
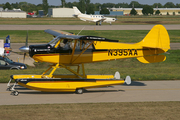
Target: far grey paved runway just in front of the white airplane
column 86, row 27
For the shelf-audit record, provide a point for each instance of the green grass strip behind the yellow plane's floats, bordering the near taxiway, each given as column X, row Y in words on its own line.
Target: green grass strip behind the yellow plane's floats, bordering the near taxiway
column 167, row 70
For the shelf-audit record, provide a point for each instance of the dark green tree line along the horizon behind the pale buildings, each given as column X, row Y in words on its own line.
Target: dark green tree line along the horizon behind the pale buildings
column 85, row 6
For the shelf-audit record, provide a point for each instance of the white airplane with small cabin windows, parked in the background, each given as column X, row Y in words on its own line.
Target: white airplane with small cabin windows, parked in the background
column 93, row 18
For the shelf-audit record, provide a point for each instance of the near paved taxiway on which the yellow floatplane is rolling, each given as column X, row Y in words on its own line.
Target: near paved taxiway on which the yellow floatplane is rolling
column 138, row 91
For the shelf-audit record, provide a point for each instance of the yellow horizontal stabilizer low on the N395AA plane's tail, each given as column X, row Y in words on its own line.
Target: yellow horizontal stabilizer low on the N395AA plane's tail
column 152, row 59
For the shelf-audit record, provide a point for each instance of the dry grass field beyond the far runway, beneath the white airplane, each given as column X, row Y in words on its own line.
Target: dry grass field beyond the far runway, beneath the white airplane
column 121, row 20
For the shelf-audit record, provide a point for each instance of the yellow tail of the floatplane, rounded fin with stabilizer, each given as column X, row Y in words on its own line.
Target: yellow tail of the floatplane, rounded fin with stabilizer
column 156, row 41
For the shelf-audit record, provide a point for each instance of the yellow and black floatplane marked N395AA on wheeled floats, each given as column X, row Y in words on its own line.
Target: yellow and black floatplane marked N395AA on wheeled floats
column 75, row 50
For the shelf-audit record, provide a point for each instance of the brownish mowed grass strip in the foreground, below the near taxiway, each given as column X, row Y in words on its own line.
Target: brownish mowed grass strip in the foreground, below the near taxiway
column 93, row 111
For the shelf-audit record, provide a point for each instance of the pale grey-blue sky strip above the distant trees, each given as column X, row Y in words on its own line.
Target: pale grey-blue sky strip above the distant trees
column 58, row 2
